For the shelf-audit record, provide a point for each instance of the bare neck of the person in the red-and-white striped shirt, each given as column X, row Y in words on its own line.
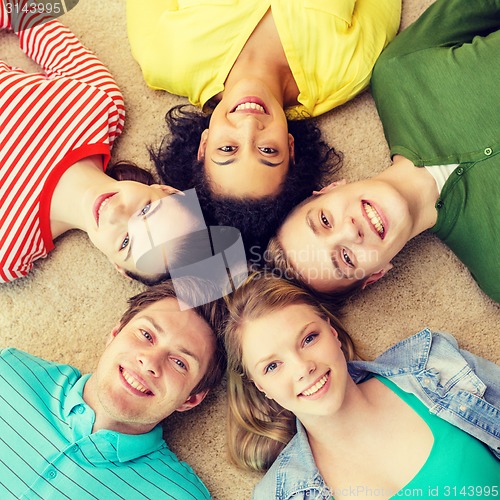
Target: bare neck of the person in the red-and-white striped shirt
column 70, row 200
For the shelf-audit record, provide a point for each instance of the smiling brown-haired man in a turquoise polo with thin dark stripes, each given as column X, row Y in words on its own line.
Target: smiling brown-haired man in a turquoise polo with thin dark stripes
column 64, row 435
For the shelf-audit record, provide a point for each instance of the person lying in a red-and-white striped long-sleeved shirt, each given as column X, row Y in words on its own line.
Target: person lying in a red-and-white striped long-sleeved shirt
column 57, row 128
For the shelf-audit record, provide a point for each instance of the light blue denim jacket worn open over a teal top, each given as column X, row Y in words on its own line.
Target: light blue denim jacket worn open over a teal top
column 457, row 386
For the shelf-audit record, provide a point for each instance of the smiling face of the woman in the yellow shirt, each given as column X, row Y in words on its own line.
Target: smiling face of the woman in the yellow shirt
column 247, row 147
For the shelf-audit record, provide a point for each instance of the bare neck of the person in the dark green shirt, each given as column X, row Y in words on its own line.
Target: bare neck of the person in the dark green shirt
column 418, row 187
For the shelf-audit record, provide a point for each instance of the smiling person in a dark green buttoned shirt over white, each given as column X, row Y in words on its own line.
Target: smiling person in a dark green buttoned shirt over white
column 436, row 91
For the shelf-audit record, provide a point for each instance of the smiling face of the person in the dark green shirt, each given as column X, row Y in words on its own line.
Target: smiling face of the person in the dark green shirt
column 347, row 234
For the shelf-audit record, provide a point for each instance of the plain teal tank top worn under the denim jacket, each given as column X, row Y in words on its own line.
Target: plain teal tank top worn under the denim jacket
column 458, row 465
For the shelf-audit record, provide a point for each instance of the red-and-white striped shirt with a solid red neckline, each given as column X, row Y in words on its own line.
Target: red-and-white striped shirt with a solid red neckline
column 48, row 121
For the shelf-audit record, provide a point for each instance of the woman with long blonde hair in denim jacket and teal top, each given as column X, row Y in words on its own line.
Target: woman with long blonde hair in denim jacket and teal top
column 420, row 420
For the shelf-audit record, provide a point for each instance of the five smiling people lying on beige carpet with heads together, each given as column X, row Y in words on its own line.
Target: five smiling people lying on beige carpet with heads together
column 303, row 406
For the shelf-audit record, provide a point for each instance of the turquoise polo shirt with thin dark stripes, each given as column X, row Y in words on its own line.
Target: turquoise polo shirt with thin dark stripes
column 48, row 450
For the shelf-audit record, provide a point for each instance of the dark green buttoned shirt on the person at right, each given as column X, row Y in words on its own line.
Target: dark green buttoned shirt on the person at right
column 436, row 91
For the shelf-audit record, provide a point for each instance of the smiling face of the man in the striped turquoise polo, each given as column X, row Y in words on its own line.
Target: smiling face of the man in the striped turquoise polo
column 150, row 367
